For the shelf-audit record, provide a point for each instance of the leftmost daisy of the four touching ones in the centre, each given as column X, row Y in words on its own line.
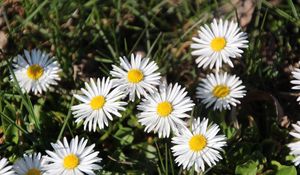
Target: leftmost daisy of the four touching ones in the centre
column 99, row 102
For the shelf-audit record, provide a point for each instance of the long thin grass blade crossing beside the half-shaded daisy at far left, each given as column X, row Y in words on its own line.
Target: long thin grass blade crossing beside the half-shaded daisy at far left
column 25, row 98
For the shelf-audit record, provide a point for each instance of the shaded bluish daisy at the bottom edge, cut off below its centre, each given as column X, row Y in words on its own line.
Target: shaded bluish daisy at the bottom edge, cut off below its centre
column 29, row 165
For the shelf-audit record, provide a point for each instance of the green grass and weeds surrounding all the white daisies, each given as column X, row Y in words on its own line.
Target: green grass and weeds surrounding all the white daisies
column 87, row 37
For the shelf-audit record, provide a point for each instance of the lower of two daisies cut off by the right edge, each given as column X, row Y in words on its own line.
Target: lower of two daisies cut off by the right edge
column 295, row 146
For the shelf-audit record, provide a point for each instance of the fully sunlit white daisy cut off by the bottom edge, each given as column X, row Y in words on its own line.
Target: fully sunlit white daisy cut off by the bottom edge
column 75, row 158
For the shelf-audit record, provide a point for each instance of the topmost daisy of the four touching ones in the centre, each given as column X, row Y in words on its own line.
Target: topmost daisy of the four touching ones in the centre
column 137, row 77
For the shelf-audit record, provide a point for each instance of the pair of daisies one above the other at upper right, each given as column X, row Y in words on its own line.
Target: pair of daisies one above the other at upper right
column 217, row 44
